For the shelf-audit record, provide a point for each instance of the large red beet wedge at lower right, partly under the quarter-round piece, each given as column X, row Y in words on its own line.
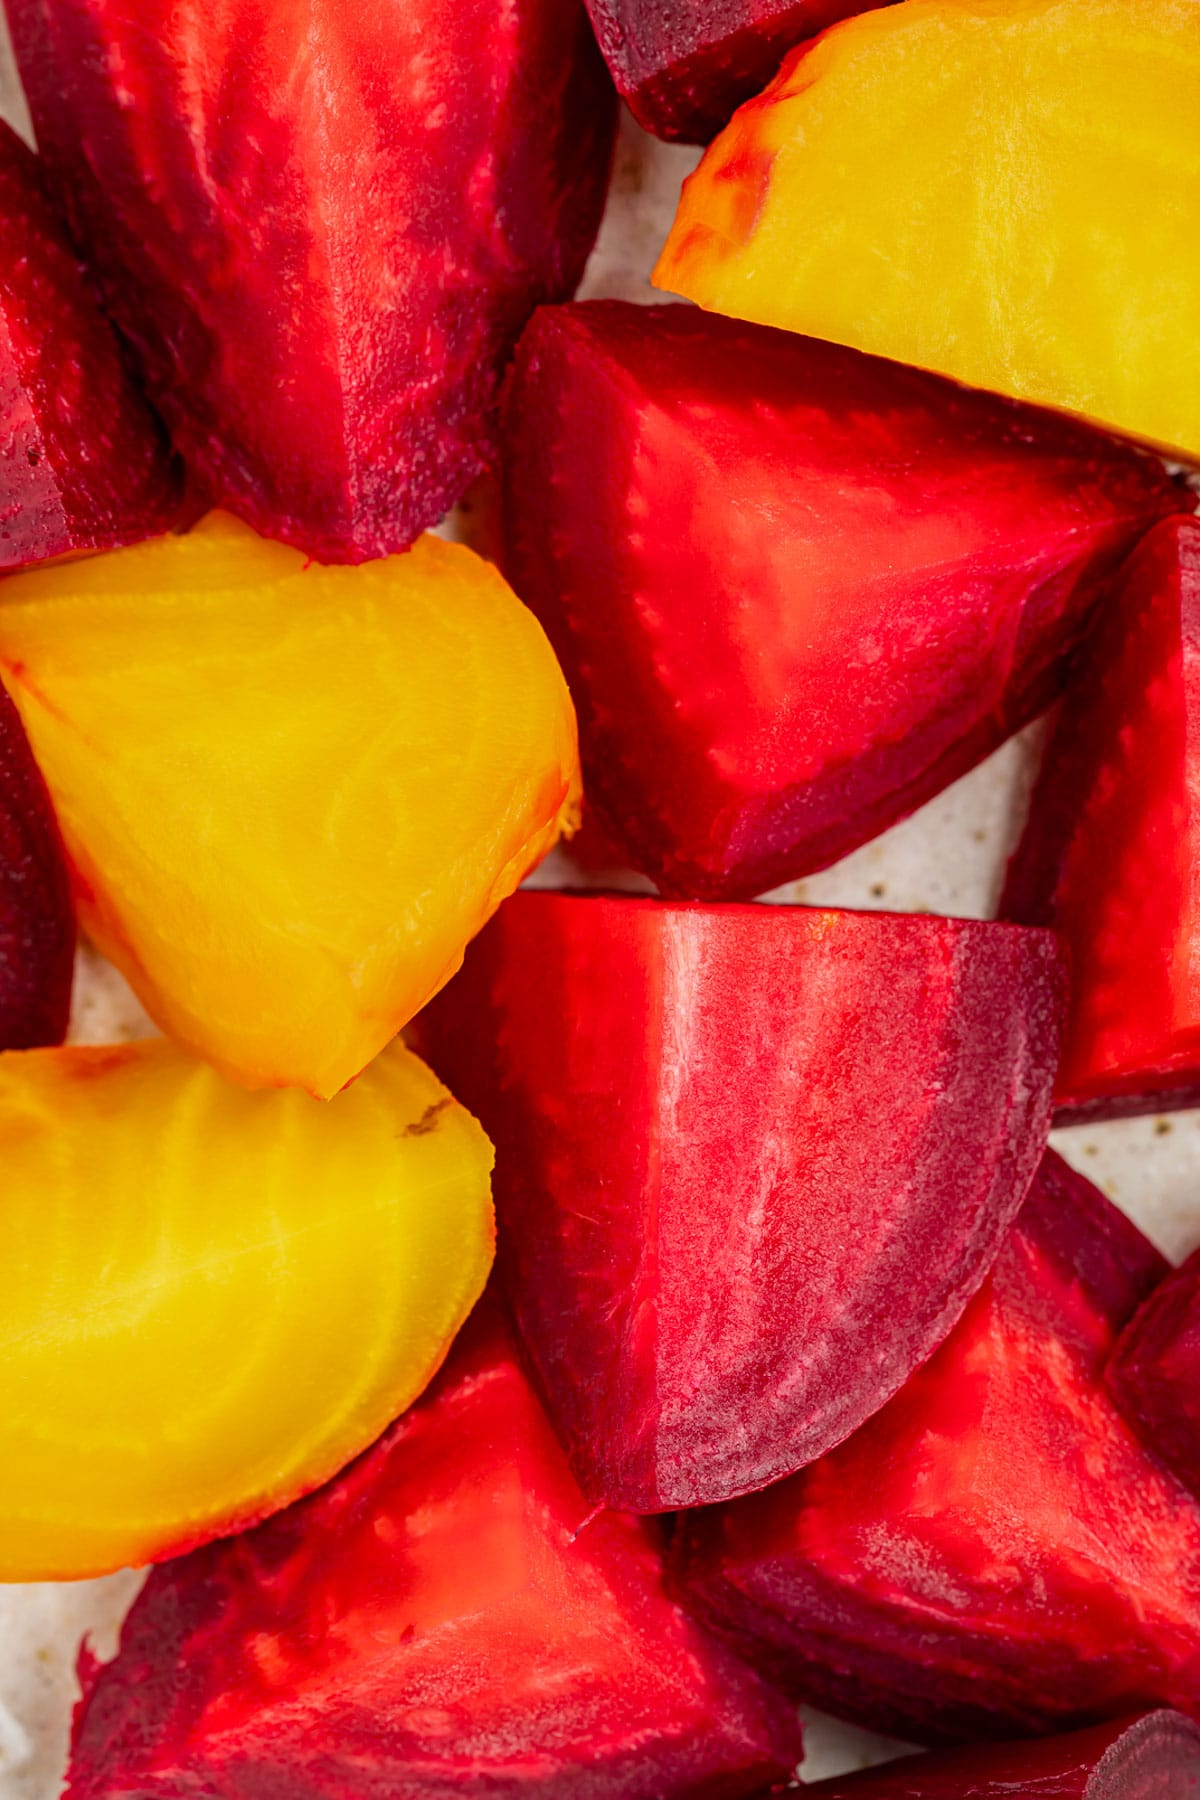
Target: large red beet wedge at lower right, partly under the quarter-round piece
column 996, row 1554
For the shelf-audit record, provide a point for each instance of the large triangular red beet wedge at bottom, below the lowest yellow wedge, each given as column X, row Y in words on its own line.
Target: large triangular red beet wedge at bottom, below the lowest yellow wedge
column 438, row 1621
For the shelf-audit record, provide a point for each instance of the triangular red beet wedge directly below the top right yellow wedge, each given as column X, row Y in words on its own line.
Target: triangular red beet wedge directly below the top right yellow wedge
column 796, row 589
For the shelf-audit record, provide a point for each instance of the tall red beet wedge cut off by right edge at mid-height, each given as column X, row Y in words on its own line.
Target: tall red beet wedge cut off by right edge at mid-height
column 1111, row 850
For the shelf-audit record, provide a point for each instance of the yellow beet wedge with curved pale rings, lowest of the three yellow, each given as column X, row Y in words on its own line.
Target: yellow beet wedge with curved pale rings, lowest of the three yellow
column 213, row 1300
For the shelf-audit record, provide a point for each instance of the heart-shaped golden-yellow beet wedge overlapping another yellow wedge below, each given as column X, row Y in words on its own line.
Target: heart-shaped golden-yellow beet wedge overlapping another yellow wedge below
column 291, row 795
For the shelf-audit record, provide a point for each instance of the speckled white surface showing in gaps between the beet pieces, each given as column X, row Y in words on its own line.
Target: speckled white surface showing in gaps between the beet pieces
column 945, row 859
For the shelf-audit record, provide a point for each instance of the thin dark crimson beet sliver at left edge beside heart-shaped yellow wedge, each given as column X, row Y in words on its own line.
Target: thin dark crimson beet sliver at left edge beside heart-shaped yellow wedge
column 37, row 917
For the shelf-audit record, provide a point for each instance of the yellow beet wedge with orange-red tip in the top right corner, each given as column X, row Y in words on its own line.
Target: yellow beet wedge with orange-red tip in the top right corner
column 999, row 190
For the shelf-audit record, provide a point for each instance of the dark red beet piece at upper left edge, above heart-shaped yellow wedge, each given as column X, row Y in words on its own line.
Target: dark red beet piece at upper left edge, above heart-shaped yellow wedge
column 84, row 463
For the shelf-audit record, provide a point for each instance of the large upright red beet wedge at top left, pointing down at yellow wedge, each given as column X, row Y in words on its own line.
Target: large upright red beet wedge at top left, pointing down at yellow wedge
column 323, row 226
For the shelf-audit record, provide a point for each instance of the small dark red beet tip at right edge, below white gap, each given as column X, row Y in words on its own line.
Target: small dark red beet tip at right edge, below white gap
column 1156, row 1372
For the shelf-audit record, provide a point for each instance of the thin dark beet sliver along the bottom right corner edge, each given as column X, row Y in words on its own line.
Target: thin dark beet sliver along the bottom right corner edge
column 1154, row 1758
